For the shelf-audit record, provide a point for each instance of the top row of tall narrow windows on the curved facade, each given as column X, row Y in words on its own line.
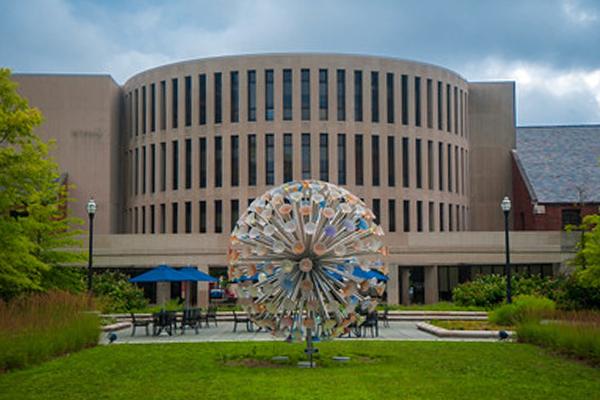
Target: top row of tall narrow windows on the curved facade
column 449, row 100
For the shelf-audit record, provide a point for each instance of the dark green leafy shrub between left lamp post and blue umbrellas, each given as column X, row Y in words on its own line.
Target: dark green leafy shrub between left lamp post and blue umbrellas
column 116, row 294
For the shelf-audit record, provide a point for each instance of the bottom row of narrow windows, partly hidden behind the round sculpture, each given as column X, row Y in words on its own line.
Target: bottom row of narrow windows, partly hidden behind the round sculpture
column 450, row 217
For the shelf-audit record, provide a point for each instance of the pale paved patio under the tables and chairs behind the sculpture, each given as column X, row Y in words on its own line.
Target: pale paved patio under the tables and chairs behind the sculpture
column 398, row 330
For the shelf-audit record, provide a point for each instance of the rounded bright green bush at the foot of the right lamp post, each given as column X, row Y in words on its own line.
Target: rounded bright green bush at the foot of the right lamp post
column 524, row 308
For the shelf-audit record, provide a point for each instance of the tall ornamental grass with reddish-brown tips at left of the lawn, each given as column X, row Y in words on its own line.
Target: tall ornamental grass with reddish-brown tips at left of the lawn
column 42, row 326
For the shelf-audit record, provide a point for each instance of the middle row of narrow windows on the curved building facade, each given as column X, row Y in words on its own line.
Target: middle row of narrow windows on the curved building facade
column 450, row 161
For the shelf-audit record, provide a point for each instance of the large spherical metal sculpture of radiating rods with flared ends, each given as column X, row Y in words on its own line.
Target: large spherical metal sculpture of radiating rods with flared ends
column 304, row 255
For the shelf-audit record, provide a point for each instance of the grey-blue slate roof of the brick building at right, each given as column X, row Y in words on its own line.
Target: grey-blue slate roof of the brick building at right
column 561, row 163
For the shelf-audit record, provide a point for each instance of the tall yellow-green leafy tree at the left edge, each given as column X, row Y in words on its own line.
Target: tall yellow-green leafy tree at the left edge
column 34, row 225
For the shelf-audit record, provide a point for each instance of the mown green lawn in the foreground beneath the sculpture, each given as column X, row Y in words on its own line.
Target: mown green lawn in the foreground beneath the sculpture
column 378, row 370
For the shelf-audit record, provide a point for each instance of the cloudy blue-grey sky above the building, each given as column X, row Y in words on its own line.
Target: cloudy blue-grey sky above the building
column 551, row 48
